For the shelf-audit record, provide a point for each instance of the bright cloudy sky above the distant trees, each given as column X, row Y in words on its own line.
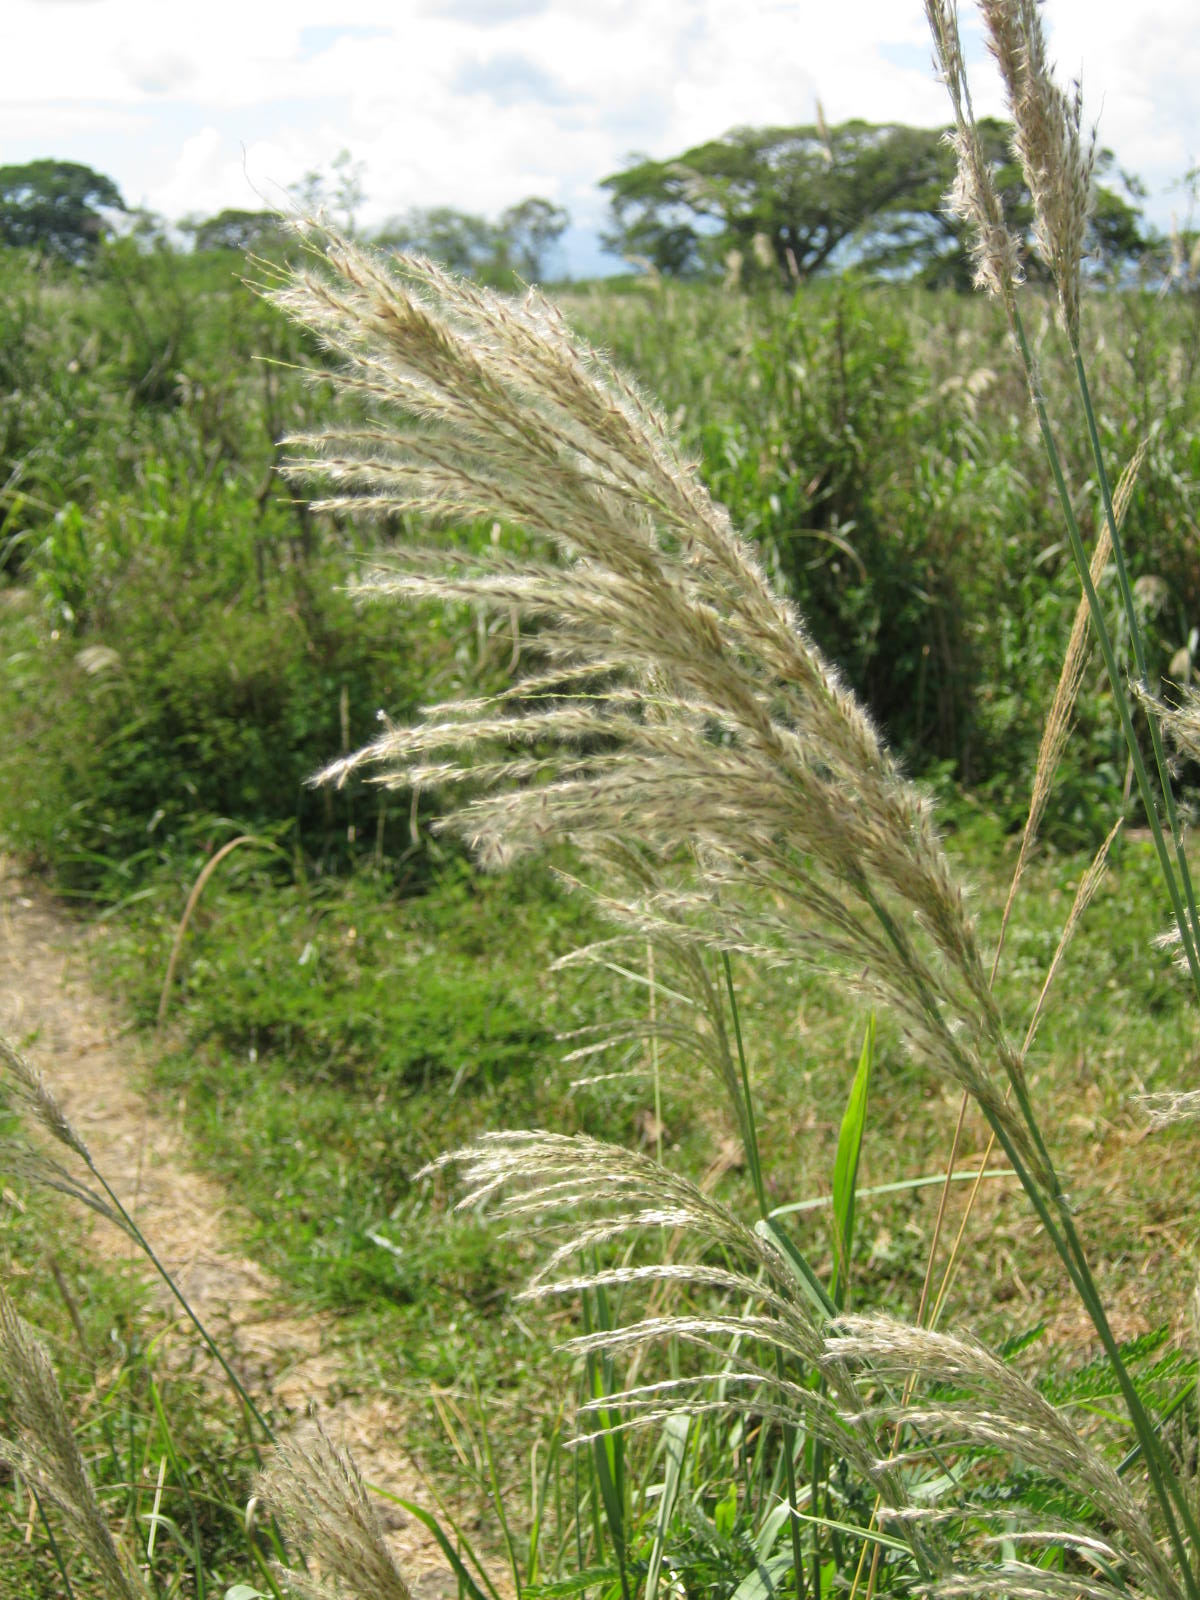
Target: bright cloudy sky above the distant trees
column 193, row 108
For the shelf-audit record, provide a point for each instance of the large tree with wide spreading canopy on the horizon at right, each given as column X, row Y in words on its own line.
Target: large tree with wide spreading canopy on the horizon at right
column 812, row 199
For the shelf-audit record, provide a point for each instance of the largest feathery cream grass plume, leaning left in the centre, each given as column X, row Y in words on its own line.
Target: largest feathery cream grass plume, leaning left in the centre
column 721, row 724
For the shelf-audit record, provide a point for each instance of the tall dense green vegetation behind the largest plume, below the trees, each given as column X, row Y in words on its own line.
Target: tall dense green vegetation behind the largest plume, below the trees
column 178, row 646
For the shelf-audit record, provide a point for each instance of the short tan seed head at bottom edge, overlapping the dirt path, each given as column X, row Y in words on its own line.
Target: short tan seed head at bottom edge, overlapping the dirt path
column 321, row 1503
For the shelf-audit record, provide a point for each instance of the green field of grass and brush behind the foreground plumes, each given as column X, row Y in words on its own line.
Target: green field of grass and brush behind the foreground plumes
column 354, row 998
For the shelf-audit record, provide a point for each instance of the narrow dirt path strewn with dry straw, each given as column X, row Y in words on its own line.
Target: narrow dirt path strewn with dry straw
column 92, row 1063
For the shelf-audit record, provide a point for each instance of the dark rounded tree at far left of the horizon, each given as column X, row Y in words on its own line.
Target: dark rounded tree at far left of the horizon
column 57, row 207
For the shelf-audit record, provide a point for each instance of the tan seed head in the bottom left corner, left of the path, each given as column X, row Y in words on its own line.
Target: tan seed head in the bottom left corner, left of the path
column 44, row 1452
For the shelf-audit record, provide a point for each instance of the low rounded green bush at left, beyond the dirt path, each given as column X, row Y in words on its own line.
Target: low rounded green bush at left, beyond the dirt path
column 186, row 668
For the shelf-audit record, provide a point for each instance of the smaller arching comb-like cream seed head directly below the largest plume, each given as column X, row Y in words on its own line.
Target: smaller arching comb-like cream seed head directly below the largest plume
column 551, row 1178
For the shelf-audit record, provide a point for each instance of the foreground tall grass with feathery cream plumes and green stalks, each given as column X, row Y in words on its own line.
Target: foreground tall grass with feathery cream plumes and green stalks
column 729, row 801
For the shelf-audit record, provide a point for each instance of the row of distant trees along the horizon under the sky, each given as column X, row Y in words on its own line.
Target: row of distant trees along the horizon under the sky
column 761, row 204
